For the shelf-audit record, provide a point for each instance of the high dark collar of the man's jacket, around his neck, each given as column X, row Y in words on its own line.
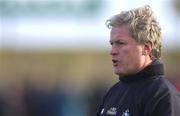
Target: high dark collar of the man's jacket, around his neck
column 154, row 69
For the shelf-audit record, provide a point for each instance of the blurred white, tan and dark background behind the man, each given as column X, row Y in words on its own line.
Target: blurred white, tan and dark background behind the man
column 54, row 54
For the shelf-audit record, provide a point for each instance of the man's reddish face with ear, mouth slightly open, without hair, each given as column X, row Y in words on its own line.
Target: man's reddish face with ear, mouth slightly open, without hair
column 128, row 56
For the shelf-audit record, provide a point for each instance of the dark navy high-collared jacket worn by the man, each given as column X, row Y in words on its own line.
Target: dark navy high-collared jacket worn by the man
column 146, row 93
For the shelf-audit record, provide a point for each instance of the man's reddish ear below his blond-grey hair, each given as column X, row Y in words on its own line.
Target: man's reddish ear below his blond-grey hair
column 147, row 48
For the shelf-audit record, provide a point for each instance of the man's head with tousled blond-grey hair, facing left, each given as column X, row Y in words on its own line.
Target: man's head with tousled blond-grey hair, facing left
column 135, row 40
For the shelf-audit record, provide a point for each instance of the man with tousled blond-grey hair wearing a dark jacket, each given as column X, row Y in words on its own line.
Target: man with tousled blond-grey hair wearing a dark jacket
column 136, row 51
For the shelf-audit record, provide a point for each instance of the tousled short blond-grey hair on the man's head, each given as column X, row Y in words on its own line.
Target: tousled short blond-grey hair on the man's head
column 142, row 25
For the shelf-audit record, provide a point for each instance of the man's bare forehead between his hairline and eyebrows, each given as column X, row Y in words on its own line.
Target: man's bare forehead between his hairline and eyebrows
column 120, row 32
